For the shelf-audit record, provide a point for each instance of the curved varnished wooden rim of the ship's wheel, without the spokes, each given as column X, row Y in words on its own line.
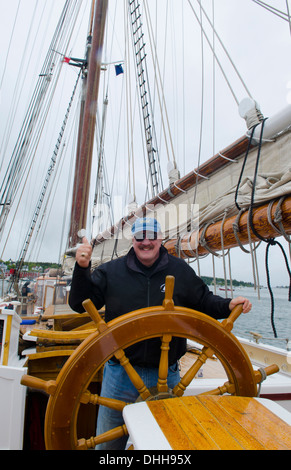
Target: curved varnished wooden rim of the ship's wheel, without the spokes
column 79, row 370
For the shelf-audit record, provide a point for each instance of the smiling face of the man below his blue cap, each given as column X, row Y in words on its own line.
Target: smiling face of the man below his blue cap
column 147, row 248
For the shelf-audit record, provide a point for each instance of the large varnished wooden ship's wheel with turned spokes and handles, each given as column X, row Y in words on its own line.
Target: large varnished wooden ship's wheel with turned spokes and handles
column 70, row 389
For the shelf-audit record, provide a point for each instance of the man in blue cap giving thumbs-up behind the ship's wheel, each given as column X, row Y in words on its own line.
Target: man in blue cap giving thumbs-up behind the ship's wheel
column 135, row 281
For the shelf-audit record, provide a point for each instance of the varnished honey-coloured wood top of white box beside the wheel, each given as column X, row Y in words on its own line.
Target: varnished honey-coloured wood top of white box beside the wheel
column 225, row 423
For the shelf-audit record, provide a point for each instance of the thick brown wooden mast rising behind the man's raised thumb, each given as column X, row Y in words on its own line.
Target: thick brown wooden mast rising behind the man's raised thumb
column 87, row 128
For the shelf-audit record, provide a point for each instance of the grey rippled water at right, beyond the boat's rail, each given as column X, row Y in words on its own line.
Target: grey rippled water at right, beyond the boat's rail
column 259, row 318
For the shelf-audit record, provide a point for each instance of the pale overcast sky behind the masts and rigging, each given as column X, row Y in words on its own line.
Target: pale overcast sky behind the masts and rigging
column 258, row 42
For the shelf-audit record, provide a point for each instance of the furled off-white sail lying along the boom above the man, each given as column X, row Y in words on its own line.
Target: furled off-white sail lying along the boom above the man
column 210, row 198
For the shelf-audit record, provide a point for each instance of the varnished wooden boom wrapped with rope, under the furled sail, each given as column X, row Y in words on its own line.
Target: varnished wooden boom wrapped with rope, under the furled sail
column 190, row 245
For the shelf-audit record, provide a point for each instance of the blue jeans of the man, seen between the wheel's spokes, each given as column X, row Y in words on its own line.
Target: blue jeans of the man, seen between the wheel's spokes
column 116, row 384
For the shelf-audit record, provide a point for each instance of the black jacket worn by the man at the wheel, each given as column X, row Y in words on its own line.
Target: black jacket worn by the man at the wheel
column 124, row 284
